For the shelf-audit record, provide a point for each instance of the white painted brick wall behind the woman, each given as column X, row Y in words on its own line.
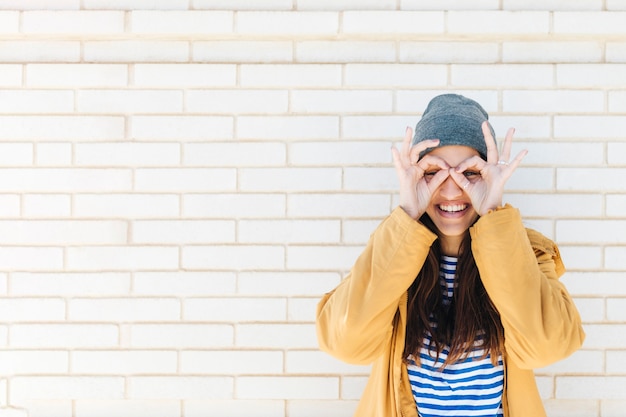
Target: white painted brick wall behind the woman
column 181, row 180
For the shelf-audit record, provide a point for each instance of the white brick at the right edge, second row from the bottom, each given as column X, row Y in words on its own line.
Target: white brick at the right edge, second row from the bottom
column 590, row 387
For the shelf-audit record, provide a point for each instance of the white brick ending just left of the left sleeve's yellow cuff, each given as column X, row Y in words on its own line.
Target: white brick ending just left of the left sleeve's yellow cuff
column 338, row 205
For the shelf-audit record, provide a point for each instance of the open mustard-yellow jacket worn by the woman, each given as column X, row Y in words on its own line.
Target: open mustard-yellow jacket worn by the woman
column 363, row 320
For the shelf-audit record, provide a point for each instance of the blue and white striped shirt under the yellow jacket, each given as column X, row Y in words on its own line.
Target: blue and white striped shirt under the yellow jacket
column 471, row 387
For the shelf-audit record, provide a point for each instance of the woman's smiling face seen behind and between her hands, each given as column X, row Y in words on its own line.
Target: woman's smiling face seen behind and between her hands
column 450, row 207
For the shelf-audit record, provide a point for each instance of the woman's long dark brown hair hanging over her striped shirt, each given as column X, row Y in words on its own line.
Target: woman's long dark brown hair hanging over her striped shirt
column 469, row 318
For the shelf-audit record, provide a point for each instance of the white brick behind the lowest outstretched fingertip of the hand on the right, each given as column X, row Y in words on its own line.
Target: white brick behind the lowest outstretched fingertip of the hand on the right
column 577, row 154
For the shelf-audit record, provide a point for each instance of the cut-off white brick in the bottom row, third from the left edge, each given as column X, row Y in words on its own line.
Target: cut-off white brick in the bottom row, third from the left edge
column 235, row 408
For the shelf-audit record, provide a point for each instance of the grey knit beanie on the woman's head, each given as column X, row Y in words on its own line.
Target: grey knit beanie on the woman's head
column 454, row 120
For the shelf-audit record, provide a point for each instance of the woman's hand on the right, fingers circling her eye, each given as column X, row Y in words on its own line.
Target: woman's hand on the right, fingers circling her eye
column 484, row 180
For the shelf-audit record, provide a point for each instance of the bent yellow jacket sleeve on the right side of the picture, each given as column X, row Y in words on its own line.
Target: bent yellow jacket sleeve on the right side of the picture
column 520, row 270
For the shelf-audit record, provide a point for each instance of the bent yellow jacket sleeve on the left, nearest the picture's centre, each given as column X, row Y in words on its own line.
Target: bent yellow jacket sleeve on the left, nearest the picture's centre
column 354, row 321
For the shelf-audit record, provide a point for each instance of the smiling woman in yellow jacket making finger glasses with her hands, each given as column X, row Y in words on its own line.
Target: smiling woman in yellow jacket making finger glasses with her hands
column 453, row 301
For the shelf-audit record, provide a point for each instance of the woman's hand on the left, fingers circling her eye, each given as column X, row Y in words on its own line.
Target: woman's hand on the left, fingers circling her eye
column 418, row 178
